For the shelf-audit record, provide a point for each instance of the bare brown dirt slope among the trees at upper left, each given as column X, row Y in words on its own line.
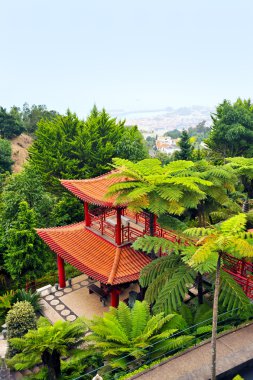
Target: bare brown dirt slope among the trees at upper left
column 20, row 146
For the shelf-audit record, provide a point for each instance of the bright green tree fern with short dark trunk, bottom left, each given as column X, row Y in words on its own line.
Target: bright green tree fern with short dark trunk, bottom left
column 47, row 344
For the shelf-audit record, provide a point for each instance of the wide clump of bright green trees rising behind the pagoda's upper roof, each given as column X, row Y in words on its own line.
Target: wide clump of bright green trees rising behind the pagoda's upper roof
column 66, row 147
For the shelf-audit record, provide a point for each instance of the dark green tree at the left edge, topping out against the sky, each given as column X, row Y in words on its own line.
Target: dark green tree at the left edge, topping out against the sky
column 10, row 124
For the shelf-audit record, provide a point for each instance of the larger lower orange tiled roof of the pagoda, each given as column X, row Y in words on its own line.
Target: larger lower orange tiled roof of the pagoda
column 93, row 255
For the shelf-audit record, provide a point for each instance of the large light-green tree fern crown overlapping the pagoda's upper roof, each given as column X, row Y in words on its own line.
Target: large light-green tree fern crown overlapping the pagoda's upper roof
column 160, row 189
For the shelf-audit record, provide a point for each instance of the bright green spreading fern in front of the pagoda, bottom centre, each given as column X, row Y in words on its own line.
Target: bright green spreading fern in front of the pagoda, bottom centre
column 124, row 335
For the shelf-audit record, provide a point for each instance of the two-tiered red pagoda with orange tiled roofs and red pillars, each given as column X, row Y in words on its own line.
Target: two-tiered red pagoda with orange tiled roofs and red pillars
column 100, row 246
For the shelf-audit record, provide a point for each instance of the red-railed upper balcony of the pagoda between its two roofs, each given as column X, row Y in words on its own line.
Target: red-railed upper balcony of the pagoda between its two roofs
column 104, row 223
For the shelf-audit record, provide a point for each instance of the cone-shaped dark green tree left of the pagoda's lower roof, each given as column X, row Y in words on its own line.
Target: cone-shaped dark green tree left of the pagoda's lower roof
column 25, row 257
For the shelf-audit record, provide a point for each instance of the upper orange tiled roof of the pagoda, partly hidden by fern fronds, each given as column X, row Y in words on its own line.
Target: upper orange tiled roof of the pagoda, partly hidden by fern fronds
column 93, row 190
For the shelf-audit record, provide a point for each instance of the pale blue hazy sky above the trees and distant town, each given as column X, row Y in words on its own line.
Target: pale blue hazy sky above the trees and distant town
column 130, row 54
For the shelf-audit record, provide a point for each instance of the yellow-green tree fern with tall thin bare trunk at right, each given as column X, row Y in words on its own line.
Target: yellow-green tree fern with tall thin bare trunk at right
column 228, row 237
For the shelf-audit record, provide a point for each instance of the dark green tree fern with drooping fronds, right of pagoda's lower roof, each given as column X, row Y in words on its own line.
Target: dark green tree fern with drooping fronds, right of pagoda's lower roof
column 168, row 278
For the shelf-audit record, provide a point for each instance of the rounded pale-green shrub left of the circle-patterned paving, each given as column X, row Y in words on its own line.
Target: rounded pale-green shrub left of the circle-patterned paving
column 19, row 320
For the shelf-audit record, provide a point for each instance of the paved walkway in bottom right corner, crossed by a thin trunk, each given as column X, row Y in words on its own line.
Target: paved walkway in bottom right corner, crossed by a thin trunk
column 232, row 349
